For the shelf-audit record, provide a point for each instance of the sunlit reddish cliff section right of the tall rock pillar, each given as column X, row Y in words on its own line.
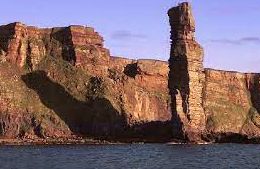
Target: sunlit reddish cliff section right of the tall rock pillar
column 231, row 102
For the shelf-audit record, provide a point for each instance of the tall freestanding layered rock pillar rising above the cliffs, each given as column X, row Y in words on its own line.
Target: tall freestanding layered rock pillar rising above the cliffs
column 186, row 75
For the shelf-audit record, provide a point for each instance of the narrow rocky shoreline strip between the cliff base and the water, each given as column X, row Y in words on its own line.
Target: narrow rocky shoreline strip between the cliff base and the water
column 220, row 138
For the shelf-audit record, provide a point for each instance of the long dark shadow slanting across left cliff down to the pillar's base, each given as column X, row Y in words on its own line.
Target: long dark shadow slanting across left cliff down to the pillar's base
column 95, row 117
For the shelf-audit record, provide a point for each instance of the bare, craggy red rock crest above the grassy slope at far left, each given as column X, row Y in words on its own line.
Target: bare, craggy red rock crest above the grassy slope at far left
column 26, row 46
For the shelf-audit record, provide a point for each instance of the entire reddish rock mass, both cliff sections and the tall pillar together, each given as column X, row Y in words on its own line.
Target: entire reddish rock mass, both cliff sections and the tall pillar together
column 63, row 83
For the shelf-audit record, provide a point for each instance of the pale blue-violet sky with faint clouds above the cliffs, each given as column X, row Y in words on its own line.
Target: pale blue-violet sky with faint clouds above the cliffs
column 228, row 30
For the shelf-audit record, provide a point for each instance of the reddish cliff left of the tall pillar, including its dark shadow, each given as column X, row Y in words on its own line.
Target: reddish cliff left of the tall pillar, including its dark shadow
column 61, row 81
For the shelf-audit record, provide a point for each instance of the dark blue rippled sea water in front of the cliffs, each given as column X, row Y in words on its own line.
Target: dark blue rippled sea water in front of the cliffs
column 146, row 156
